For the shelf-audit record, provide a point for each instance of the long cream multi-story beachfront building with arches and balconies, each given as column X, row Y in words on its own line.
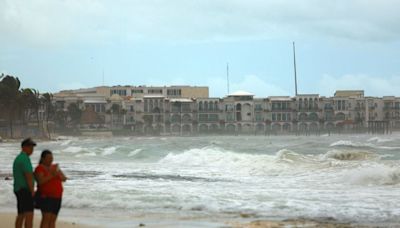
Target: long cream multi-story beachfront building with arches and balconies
column 182, row 110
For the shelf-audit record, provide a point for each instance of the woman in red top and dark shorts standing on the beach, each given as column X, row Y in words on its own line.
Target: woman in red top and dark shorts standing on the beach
column 49, row 178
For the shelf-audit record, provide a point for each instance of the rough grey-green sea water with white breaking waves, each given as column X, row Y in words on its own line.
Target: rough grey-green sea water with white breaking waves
column 349, row 178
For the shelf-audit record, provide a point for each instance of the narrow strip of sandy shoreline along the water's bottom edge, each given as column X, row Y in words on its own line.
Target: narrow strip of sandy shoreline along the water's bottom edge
column 7, row 220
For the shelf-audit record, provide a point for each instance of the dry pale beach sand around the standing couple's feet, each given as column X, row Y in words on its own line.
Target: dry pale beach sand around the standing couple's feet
column 8, row 219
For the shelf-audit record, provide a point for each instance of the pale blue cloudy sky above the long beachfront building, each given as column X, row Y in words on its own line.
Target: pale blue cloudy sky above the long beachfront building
column 53, row 45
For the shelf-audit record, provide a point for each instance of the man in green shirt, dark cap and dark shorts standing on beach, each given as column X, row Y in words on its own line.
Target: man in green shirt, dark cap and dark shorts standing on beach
column 23, row 184
